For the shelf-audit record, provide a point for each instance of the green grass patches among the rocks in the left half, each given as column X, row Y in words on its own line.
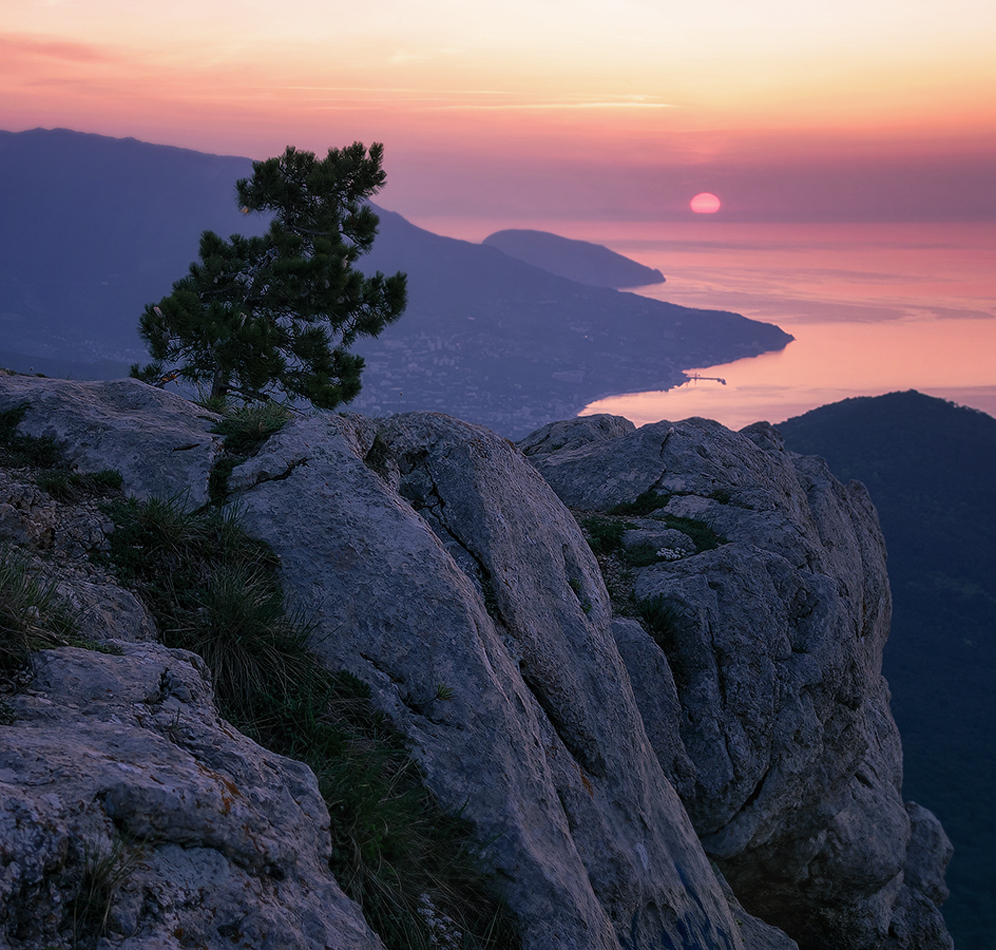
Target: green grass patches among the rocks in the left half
column 415, row 870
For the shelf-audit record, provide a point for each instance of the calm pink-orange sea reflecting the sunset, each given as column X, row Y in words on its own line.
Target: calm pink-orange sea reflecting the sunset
column 873, row 308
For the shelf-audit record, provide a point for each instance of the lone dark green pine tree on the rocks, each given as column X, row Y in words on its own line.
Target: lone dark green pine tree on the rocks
column 279, row 312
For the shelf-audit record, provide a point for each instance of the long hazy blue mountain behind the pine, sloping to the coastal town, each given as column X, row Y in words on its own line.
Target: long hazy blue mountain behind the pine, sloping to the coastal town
column 94, row 228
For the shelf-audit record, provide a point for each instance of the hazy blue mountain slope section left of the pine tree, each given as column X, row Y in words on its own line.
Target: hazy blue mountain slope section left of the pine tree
column 93, row 228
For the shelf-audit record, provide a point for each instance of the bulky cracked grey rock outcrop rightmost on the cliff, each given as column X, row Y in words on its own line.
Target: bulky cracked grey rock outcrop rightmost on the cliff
column 774, row 640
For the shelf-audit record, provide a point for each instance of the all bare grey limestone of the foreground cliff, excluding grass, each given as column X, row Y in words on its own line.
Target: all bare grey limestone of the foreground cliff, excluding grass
column 700, row 754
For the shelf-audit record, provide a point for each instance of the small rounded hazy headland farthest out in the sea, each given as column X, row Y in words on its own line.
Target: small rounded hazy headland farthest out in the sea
column 587, row 263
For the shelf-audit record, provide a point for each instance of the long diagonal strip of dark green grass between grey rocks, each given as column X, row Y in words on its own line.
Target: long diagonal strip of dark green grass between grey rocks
column 214, row 590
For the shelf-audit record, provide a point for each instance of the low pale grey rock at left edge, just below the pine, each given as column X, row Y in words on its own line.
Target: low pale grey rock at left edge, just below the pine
column 161, row 444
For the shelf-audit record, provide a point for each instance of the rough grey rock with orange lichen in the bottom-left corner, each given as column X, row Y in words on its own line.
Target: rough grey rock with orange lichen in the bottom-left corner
column 120, row 765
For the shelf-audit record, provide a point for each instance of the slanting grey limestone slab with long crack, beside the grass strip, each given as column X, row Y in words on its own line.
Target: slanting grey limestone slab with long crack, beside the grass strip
column 429, row 552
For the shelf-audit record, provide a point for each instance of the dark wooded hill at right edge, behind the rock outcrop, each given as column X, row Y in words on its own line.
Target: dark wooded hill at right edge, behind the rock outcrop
column 929, row 467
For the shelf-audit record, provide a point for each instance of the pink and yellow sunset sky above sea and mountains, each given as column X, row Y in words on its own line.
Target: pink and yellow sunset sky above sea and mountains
column 788, row 110
